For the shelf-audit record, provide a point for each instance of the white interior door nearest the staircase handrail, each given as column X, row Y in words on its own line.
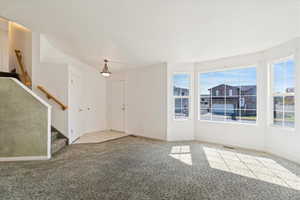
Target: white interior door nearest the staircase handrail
column 76, row 111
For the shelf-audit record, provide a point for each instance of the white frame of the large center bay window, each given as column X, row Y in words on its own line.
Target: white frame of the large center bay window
column 255, row 65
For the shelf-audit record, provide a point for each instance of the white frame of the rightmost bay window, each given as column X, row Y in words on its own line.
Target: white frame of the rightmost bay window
column 283, row 95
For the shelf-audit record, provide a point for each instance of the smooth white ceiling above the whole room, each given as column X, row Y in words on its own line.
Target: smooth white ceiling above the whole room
column 143, row 32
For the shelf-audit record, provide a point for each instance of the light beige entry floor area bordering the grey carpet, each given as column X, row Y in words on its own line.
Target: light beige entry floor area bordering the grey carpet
column 98, row 137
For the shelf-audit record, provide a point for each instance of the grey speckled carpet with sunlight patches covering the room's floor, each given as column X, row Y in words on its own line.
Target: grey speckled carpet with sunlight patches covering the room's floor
column 133, row 168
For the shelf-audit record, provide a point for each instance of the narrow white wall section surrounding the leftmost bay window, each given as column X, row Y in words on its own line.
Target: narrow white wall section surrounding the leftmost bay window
column 180, row 129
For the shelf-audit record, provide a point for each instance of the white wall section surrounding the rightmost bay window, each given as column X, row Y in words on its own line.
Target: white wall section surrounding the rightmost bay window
column 280, row 141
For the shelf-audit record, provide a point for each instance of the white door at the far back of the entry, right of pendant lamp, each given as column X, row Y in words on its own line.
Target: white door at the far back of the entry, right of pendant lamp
column 117, row 106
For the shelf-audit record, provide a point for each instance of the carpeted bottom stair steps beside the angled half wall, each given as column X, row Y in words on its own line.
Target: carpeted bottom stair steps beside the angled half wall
column 58, row 141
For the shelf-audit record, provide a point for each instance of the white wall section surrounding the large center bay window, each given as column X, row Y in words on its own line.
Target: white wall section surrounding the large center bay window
column 236, row 134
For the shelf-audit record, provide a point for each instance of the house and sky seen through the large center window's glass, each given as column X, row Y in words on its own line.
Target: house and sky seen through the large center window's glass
column 228, row 95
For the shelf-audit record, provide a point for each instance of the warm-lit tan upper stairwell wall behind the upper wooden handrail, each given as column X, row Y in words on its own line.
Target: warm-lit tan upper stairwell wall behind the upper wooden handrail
column 20, row 38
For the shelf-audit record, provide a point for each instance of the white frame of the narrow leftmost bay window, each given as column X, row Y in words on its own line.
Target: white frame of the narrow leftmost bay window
column 181, row 97
